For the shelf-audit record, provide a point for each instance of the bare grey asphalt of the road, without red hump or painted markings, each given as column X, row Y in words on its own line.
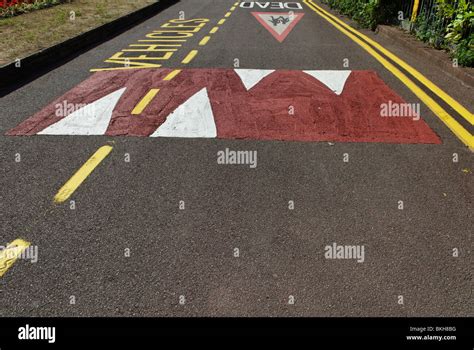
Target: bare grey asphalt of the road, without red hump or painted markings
column 173, row 253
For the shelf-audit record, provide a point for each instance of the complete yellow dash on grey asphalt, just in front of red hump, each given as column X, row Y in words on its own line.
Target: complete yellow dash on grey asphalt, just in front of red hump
column 78, row 178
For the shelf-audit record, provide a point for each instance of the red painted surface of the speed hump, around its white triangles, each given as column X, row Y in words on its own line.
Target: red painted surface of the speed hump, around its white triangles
column 260, row 113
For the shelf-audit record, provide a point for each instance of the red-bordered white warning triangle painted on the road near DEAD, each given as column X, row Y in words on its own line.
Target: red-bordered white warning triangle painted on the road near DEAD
column 277, row 23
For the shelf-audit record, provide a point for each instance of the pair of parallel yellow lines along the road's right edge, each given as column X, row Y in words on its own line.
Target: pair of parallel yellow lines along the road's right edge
column 371, row 46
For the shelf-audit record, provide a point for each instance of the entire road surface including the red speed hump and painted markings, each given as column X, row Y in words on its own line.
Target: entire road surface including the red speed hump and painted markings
column 335, row 209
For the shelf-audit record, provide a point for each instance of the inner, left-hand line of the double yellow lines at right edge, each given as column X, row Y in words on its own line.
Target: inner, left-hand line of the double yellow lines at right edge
column 448, row 120
